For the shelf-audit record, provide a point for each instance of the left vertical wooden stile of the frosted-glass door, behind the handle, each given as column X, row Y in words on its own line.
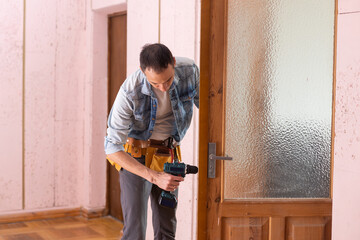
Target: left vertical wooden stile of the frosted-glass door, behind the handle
column 211, row 94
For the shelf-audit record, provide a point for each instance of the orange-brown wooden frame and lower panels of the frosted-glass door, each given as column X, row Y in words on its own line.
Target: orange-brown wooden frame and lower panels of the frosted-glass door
column 242, row 218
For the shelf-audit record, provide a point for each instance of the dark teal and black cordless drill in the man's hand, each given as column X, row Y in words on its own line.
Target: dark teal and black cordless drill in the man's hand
column 167, row 199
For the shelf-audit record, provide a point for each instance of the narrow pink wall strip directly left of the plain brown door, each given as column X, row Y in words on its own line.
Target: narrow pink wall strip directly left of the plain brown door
column 94, row 166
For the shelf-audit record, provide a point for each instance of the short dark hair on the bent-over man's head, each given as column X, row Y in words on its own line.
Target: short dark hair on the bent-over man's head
column 156, row 57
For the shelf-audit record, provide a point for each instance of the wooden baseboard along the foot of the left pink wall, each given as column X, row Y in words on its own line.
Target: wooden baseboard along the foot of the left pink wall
column 28, row 215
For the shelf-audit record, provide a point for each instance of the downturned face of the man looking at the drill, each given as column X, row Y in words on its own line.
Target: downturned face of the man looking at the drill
column 161, row 81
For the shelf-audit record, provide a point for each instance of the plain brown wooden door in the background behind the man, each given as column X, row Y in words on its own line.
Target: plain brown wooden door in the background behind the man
column 117, row 75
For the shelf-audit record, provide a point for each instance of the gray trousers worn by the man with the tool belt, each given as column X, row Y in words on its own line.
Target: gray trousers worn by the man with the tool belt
column 134, row 196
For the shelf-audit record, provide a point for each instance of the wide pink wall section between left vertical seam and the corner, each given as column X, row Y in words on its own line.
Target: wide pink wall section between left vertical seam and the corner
column 54, row 78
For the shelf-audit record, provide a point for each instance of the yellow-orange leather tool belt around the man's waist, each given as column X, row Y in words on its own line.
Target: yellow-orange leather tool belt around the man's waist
column 156, row 152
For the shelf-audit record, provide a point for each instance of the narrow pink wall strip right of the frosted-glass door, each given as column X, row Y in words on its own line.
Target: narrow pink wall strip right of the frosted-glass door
column 346, row 210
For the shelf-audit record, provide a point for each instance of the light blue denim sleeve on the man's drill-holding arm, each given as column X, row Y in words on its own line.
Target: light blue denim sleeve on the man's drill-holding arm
column 119, row 123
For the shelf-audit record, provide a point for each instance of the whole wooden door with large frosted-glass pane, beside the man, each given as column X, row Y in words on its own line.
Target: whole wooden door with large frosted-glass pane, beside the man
column 266, row 73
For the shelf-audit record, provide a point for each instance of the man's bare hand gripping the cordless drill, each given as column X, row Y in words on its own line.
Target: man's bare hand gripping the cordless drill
column 166, row 181
